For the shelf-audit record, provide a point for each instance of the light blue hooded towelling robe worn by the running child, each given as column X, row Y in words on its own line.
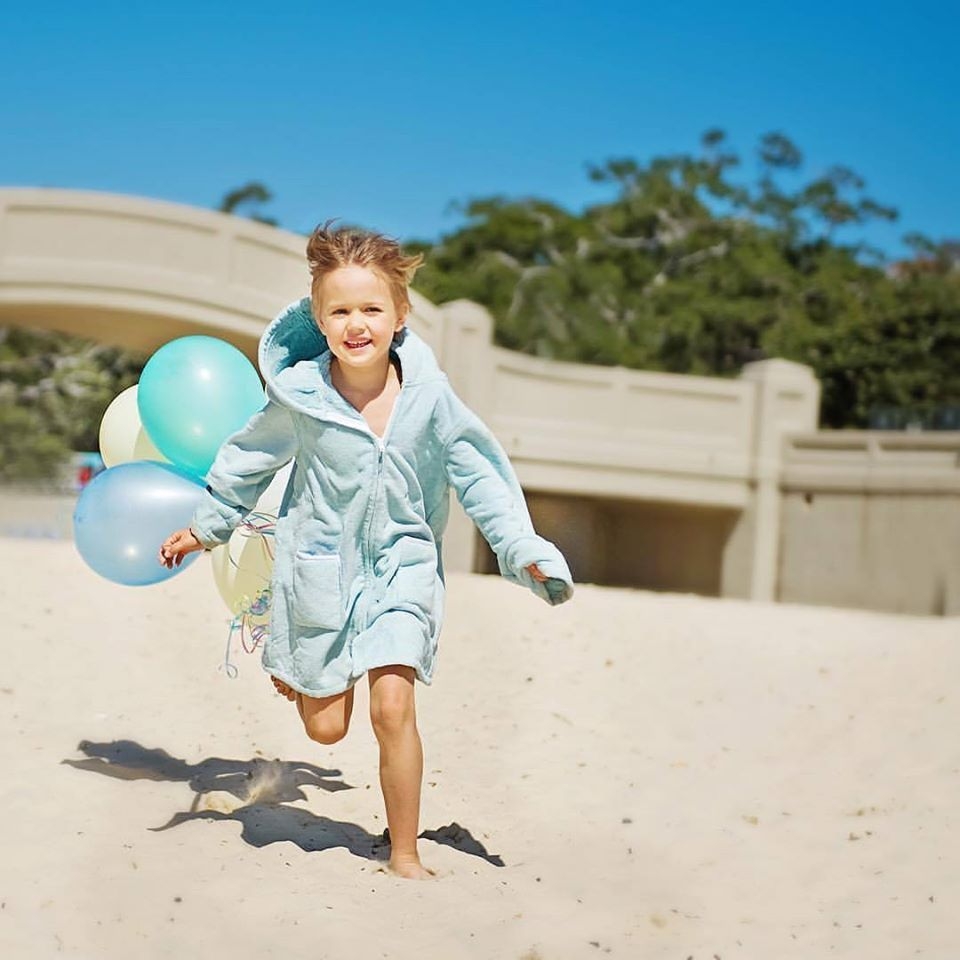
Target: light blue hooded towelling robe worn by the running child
column 358, row 577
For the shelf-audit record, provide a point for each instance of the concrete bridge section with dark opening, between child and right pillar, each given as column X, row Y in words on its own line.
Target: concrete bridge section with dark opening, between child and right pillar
column 643, row 479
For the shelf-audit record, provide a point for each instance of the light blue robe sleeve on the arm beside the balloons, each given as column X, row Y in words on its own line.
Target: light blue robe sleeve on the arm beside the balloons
column 243, row 468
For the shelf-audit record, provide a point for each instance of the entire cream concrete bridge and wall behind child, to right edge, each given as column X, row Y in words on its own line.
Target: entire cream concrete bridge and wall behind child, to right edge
column 647, row 479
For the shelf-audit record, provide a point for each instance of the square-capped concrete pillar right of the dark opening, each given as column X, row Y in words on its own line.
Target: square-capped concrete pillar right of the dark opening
column 786, row 400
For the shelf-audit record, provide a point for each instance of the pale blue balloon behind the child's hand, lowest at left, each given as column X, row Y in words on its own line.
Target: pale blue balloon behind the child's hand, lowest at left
column 126, row 512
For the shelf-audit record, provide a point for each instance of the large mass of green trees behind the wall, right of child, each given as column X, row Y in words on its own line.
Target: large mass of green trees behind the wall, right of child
column 689, row 270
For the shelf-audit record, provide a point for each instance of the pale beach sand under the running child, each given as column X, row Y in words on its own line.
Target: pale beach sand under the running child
column 657, row 776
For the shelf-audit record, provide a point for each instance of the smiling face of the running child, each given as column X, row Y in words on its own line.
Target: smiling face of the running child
column 358, row 317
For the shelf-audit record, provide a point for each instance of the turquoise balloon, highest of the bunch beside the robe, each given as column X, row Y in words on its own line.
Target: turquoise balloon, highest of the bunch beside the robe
column 194, row 392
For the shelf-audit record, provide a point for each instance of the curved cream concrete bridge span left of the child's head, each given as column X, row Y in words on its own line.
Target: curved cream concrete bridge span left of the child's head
column 138, row 273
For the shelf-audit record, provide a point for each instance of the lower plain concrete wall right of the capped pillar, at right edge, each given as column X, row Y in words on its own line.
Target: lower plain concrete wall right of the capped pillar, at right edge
column 872, row 519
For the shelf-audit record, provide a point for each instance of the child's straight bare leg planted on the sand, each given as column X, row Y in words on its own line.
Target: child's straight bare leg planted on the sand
column 394, row 719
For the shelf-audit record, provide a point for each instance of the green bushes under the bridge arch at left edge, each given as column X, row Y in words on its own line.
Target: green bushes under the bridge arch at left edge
column 54, row 390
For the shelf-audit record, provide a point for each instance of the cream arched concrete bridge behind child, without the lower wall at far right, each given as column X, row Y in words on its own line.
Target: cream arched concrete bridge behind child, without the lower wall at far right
column 679, row 464
